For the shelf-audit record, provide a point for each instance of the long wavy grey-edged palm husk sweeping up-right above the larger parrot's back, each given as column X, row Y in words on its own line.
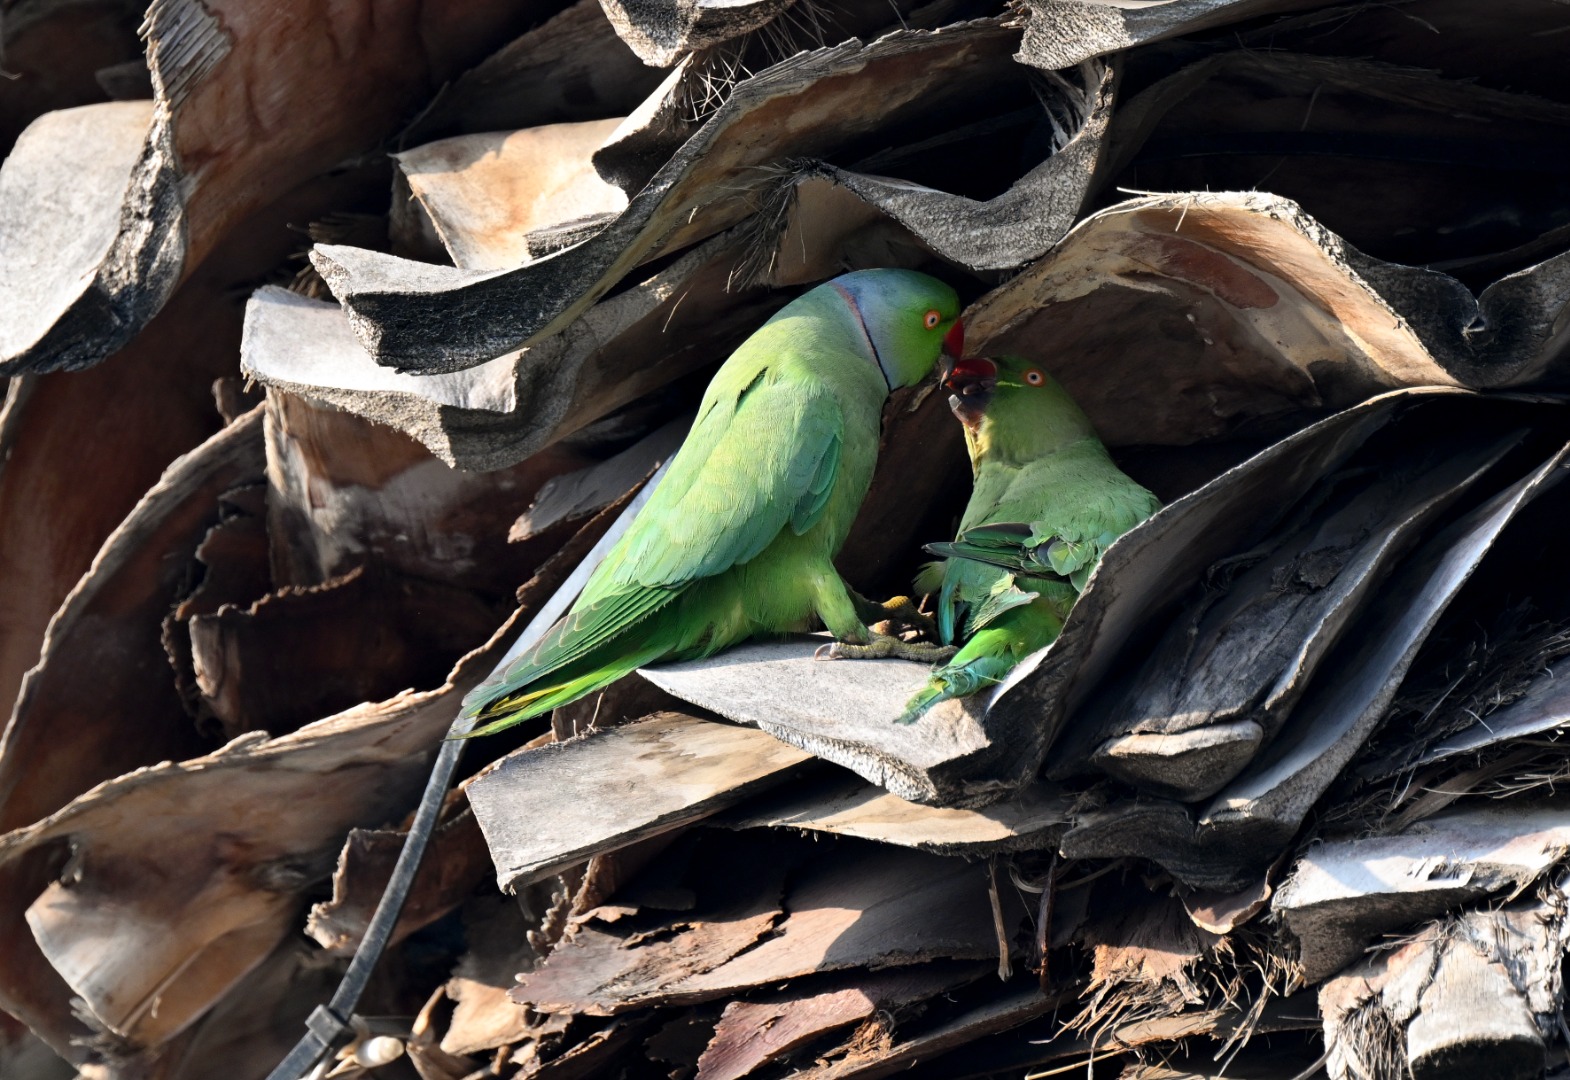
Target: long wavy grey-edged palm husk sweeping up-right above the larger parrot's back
column 393, row 304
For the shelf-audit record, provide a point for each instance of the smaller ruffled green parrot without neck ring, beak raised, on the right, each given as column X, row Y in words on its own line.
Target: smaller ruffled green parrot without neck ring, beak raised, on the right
column 1048, row 502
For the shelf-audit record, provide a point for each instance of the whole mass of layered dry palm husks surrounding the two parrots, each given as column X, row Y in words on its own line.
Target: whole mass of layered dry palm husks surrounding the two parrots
column 338, row 340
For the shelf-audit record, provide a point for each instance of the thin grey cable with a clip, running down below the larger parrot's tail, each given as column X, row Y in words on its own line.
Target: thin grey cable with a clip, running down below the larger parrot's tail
column 329, row 1023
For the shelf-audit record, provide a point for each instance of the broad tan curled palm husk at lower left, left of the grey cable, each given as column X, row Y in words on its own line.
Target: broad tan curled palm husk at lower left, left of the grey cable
column 249, row 885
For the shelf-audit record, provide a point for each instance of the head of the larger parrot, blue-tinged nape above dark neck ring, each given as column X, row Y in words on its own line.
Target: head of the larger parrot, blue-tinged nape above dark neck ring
column 910, row 319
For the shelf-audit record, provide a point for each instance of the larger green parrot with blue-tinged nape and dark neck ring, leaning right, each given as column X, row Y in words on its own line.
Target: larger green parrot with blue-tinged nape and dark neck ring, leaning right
column 739, row 541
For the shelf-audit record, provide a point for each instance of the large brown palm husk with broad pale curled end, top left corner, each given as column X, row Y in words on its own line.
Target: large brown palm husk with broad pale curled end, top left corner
column 184, row 175
